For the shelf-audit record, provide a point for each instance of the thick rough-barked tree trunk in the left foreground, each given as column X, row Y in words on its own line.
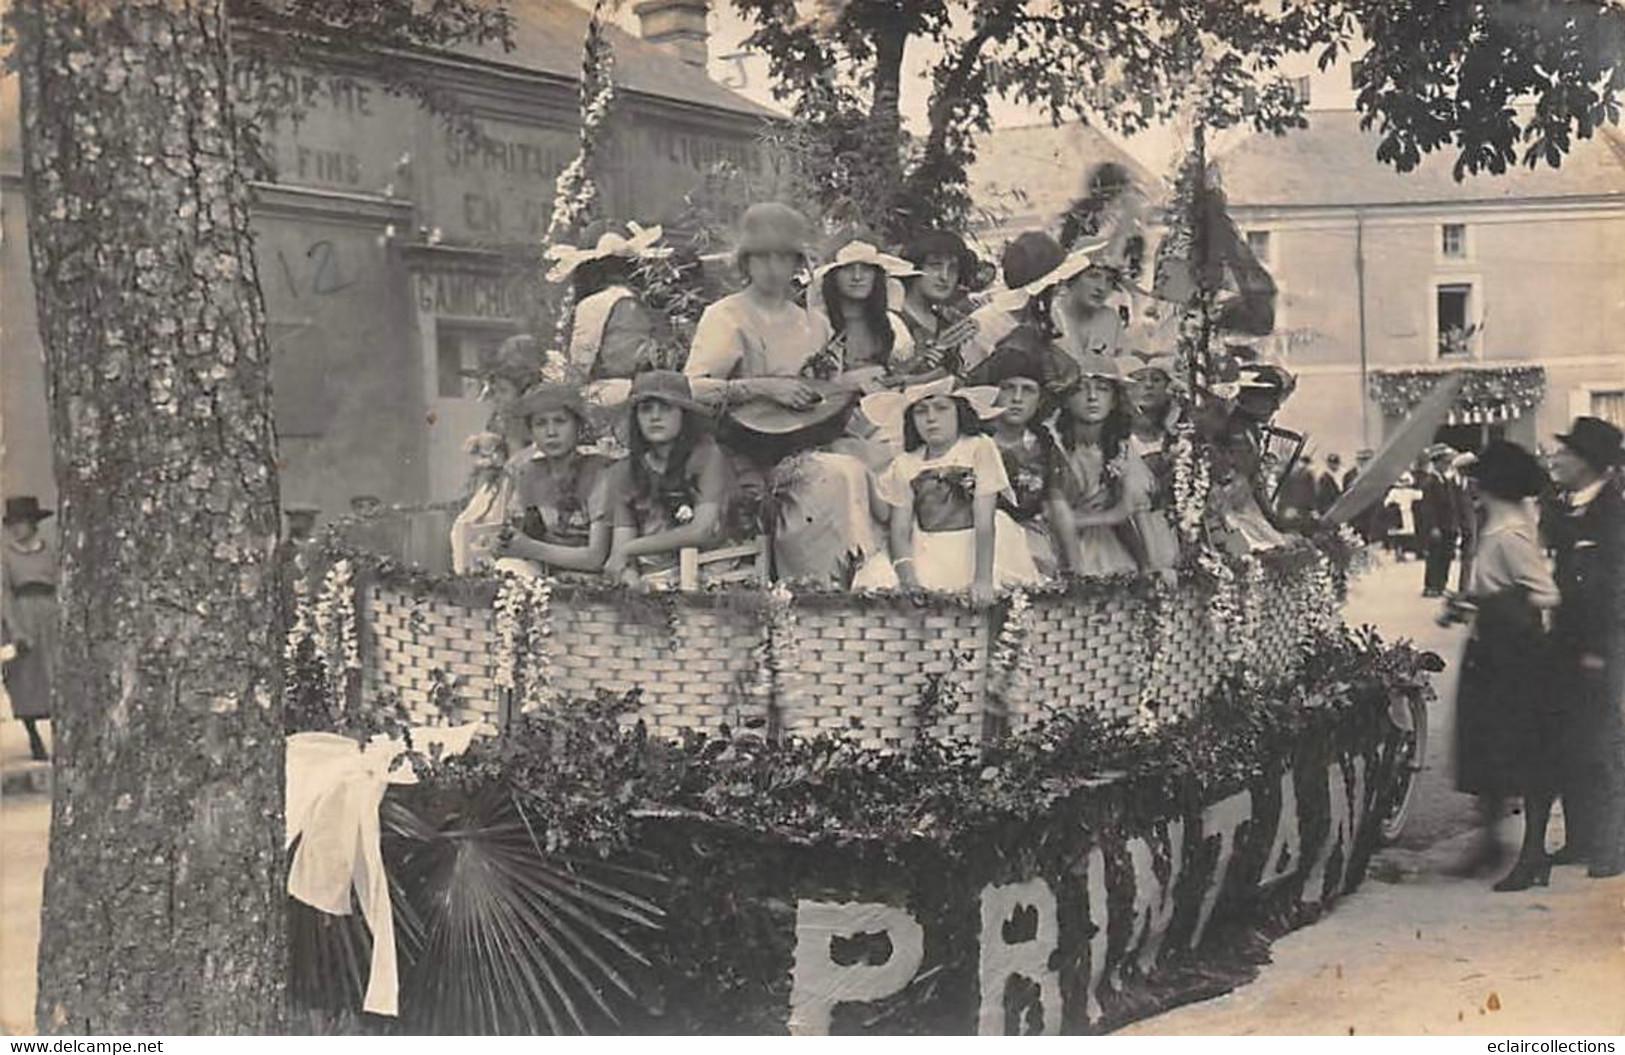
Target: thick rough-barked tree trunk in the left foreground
column 163, row 898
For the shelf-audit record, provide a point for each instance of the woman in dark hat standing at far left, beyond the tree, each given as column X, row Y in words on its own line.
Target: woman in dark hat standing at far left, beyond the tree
column 30, row 615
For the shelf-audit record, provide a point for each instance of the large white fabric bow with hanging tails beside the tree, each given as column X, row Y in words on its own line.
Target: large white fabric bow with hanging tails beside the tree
column 336, row 788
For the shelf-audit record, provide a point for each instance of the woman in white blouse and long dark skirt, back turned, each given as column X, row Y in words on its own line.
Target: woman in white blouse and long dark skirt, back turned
column 1509, row 723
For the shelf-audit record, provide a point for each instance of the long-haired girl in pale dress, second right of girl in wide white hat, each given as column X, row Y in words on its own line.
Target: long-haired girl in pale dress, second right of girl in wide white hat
column 1106, row 484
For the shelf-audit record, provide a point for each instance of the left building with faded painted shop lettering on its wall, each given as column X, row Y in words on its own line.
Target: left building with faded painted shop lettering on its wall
column 392, row 253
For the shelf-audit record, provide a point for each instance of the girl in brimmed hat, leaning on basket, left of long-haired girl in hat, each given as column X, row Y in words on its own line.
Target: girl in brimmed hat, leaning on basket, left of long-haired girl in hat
column 560, row 493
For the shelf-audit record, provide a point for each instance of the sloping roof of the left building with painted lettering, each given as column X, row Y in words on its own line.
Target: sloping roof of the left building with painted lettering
column 548, row 40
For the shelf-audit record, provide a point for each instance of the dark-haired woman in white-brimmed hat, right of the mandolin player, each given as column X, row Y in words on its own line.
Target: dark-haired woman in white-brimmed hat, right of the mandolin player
column 856, row 289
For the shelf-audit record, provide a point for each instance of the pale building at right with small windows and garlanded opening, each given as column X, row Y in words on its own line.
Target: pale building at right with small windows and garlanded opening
column 1377, row 271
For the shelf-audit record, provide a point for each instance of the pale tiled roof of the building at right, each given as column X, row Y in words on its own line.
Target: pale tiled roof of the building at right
column 1335, row 163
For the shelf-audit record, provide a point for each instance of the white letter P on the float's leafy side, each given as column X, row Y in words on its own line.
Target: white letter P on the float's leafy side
column 818, row 983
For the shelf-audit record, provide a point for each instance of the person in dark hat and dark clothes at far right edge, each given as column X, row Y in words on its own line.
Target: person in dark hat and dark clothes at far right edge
column 1587, row 532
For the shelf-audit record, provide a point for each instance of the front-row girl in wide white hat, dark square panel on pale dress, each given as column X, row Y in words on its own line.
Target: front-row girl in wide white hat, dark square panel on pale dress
column 947, row 529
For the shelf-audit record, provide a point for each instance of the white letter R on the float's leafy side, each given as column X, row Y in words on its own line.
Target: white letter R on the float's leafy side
column 1020, row 936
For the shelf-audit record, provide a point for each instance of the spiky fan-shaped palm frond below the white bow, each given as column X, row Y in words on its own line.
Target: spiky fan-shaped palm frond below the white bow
column 516, row 940
